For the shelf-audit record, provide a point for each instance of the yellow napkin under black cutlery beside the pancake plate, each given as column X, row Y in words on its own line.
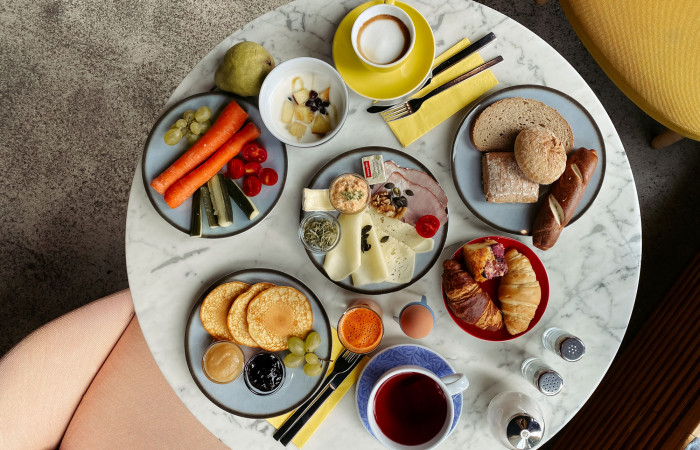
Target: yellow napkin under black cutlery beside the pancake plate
column 322, row 412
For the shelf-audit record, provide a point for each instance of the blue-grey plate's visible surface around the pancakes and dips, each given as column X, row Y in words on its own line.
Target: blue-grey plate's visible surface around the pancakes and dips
column 235, row 397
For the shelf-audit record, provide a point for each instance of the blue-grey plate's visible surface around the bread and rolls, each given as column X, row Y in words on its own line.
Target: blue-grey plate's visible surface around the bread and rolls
column 517, row 218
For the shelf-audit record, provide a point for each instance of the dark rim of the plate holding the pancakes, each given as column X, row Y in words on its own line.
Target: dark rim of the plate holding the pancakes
column 193, row 314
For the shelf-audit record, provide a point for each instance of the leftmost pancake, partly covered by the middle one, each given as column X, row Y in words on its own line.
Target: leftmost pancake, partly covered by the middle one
column 215, row 307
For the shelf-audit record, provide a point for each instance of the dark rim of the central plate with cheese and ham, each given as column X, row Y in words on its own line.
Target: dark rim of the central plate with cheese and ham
column 415, row 278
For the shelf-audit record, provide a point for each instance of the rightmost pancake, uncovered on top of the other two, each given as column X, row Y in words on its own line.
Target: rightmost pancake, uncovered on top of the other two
column 277, row 313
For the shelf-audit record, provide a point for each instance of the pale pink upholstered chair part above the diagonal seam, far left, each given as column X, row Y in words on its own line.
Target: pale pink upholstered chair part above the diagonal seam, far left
column 43, row 378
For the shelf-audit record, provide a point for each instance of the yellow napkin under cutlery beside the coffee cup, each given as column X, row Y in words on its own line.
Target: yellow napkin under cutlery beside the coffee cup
column 445, row 104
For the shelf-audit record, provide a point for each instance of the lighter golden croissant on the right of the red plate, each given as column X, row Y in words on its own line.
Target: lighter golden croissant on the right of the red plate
column 519, row 292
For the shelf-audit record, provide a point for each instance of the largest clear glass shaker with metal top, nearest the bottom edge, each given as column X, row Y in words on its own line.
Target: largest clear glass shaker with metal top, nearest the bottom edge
column 515, row 420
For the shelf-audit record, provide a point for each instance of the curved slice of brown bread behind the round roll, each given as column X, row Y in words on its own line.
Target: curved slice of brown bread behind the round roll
column 497, row 126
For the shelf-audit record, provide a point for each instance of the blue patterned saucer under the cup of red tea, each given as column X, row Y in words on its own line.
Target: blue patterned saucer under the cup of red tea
column 401, row 355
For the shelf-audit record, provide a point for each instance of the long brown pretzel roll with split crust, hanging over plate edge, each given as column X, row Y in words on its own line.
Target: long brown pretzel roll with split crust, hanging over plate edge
column 563, row 198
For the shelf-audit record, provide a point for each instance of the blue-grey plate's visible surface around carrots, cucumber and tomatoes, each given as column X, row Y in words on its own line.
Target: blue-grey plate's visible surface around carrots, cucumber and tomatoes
column 157, row 156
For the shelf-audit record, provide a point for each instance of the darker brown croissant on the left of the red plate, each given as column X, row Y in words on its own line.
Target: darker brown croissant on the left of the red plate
column 467, row 300
